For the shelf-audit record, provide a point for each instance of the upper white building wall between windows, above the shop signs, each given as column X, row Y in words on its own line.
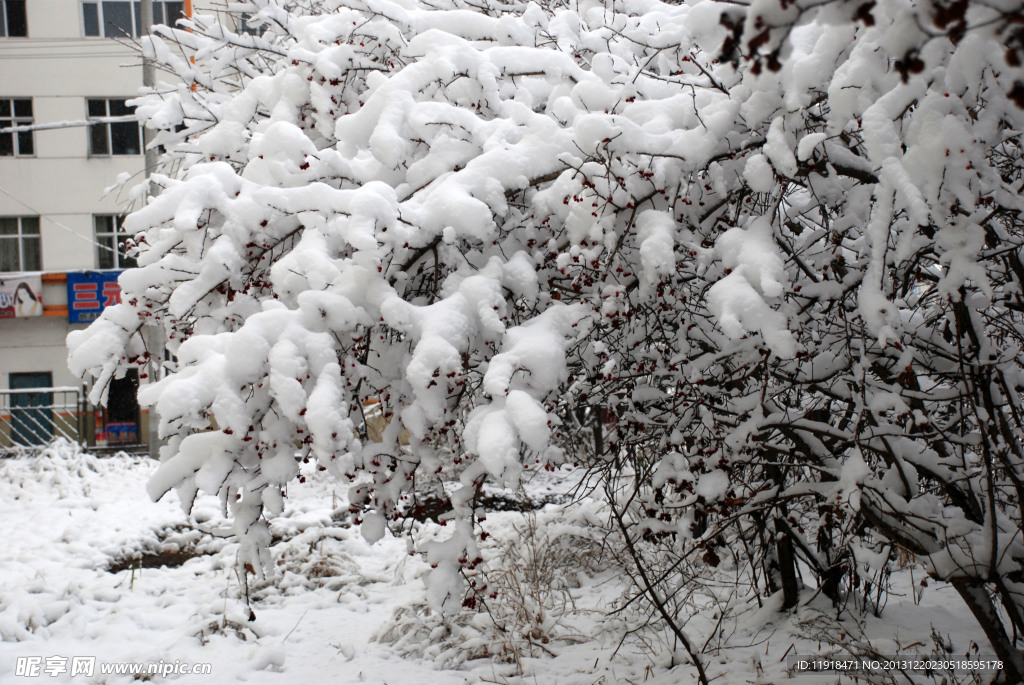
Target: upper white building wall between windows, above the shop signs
column 60, row 69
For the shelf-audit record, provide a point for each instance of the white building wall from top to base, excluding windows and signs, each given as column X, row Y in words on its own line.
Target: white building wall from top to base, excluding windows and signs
column 60, row 69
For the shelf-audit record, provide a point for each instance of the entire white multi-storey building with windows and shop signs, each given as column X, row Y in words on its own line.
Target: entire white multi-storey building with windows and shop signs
column 67, row 65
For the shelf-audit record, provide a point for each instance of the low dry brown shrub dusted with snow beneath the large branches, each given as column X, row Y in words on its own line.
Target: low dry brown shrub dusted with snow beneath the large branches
column 522, row 604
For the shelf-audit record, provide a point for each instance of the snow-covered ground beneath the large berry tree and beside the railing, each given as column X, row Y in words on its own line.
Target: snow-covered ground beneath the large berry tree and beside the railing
column 69, row 587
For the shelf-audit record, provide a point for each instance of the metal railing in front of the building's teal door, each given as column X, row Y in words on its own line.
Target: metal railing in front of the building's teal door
column 34, row 417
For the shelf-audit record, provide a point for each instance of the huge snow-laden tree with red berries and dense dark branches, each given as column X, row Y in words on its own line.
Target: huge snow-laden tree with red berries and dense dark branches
column 756, row 267
